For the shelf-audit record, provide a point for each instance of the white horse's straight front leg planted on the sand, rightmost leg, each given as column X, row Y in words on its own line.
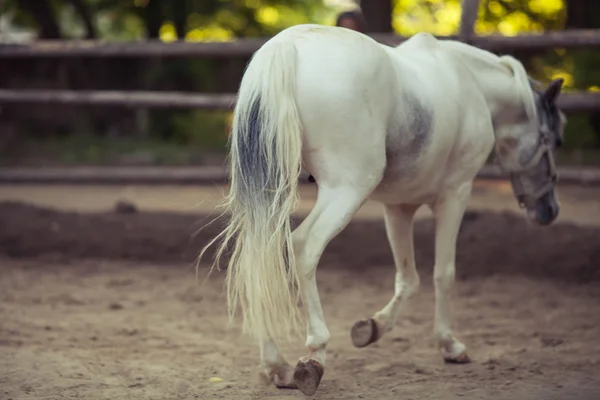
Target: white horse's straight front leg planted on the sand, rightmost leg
column 448, row 210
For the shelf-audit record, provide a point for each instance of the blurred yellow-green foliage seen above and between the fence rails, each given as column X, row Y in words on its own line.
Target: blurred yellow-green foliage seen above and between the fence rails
column 205, row 20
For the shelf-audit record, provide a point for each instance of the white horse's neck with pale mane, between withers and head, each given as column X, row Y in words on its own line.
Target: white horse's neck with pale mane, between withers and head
column 500, row 83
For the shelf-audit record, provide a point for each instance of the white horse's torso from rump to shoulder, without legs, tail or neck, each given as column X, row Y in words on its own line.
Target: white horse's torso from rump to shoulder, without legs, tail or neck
column 363, row 105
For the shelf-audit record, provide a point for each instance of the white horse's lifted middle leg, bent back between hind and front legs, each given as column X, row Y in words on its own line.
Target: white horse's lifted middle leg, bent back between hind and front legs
column 398, row 224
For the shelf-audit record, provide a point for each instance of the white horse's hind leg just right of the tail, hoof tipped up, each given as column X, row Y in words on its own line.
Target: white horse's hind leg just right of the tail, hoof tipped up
column 333, row 211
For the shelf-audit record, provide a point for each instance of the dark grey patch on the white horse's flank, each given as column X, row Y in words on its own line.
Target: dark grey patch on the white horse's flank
column 410, row 137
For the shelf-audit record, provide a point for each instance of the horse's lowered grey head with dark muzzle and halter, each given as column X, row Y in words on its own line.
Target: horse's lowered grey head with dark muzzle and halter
column 526, row 149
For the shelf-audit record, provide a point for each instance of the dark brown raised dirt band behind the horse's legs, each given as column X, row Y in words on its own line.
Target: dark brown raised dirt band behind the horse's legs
column 489, row 242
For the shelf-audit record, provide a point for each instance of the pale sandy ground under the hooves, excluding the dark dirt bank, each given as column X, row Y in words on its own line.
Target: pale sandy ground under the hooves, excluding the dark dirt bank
column 113, row 330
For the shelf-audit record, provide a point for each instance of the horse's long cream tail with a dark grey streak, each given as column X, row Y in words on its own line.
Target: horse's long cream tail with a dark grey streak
column 265, row 163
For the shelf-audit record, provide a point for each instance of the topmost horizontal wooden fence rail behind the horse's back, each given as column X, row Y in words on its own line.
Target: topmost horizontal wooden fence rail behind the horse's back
column 573, row 38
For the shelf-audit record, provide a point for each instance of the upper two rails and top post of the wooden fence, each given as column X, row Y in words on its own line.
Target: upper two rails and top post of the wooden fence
column 571, row 102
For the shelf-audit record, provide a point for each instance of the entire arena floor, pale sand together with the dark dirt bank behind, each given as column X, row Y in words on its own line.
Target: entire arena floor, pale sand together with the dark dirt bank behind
column 105, row 305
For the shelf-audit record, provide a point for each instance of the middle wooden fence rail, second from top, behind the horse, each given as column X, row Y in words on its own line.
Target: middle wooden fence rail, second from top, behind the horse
column 568, row 102
